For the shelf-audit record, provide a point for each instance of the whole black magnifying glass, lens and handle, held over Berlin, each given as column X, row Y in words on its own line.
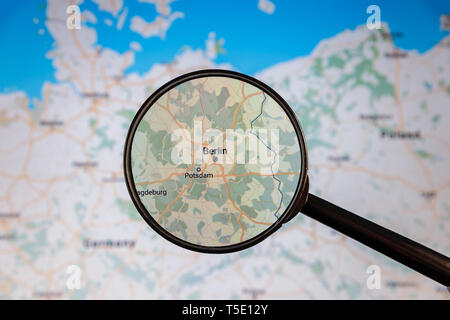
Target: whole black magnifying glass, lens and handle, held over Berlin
column 215, row 161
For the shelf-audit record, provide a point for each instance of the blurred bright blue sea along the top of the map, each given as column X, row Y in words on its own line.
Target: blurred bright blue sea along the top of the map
column 254, row 40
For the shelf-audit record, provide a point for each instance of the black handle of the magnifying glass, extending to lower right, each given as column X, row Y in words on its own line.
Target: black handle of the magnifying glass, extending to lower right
column 412, row 254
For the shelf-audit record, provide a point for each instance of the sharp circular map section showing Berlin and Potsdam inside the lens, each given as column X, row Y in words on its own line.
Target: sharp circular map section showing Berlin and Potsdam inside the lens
column 215, row 161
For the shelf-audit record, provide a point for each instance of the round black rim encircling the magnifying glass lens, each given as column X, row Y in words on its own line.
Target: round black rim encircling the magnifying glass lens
column 129, row 174
